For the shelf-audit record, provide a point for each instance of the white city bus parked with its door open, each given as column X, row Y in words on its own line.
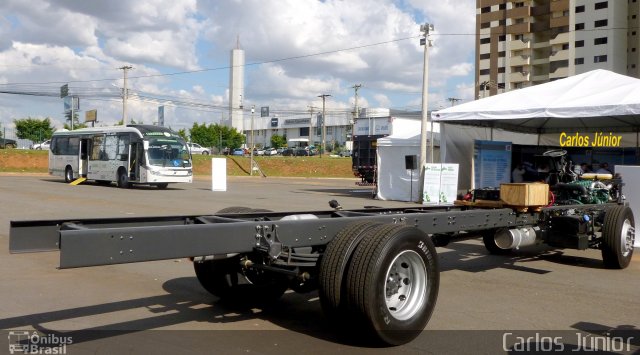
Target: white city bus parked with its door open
column 135, row 154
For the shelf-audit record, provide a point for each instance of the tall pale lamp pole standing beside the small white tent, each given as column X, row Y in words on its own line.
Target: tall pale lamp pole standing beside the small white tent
column 425, row 29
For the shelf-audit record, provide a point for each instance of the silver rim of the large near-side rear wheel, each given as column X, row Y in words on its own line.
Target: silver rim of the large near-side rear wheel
column 405, row 285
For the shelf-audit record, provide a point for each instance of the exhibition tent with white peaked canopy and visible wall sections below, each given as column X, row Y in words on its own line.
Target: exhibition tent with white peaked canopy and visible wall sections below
column 596, row 101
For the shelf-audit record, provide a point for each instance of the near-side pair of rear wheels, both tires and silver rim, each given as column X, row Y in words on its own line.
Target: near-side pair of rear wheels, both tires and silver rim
column 382, row 279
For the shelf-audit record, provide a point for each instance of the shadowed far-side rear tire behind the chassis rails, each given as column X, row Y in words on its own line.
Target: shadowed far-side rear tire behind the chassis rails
column 226, row 280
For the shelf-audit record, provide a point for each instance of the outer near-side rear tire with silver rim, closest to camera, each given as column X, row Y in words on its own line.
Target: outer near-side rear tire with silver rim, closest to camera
column 392, row 283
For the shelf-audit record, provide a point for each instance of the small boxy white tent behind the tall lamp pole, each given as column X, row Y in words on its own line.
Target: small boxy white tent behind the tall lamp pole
column 395, row 182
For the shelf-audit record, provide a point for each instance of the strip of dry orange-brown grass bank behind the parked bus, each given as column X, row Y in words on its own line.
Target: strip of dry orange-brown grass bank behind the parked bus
column 37, row 161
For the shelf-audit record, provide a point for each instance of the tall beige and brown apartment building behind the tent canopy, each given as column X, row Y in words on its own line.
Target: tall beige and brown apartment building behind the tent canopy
column 524, row 43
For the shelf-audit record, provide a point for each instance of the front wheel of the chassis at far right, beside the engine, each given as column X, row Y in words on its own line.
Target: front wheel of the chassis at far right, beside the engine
column 618, row 237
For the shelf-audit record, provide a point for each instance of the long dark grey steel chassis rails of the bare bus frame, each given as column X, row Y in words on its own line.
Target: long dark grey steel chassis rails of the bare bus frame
column 91, row 242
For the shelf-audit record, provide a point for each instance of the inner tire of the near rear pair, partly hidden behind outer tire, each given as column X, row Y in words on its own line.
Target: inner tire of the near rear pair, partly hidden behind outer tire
column 333, row 268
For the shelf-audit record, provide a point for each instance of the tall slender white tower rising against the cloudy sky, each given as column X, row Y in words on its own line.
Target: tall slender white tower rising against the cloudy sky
column 236, row 88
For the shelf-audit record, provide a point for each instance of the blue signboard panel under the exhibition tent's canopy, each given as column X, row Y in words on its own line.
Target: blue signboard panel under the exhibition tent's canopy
column 491, row 163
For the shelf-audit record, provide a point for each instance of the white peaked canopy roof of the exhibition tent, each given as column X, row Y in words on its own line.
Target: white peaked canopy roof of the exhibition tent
column 598, row 100
